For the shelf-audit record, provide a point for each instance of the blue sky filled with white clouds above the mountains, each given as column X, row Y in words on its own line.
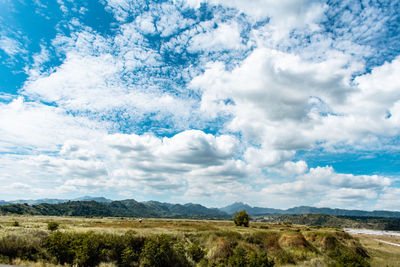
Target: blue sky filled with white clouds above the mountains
column 273, row 103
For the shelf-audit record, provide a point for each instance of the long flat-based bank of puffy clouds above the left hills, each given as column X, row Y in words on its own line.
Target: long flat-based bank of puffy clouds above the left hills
column 138, row 163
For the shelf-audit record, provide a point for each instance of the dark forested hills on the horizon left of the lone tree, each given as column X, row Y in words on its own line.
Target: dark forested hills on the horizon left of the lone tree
column 123, row 208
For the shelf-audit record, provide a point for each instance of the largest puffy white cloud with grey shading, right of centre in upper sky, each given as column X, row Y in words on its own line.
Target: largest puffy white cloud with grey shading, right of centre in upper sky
column 278, row 89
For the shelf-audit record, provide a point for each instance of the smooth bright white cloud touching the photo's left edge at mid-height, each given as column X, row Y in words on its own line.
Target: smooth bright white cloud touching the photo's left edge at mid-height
column 33, row 126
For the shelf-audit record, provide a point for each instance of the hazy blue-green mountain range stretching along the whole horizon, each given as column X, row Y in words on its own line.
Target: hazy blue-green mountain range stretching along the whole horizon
column 100, row 206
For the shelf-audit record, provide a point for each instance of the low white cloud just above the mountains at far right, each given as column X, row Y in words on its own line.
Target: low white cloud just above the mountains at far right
column 322, row 186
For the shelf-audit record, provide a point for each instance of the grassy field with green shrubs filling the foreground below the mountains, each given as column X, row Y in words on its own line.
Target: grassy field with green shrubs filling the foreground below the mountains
column 126, row 242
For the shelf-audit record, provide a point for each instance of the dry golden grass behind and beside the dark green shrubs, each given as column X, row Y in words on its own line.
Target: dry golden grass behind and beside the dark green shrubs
column 306, row 246
